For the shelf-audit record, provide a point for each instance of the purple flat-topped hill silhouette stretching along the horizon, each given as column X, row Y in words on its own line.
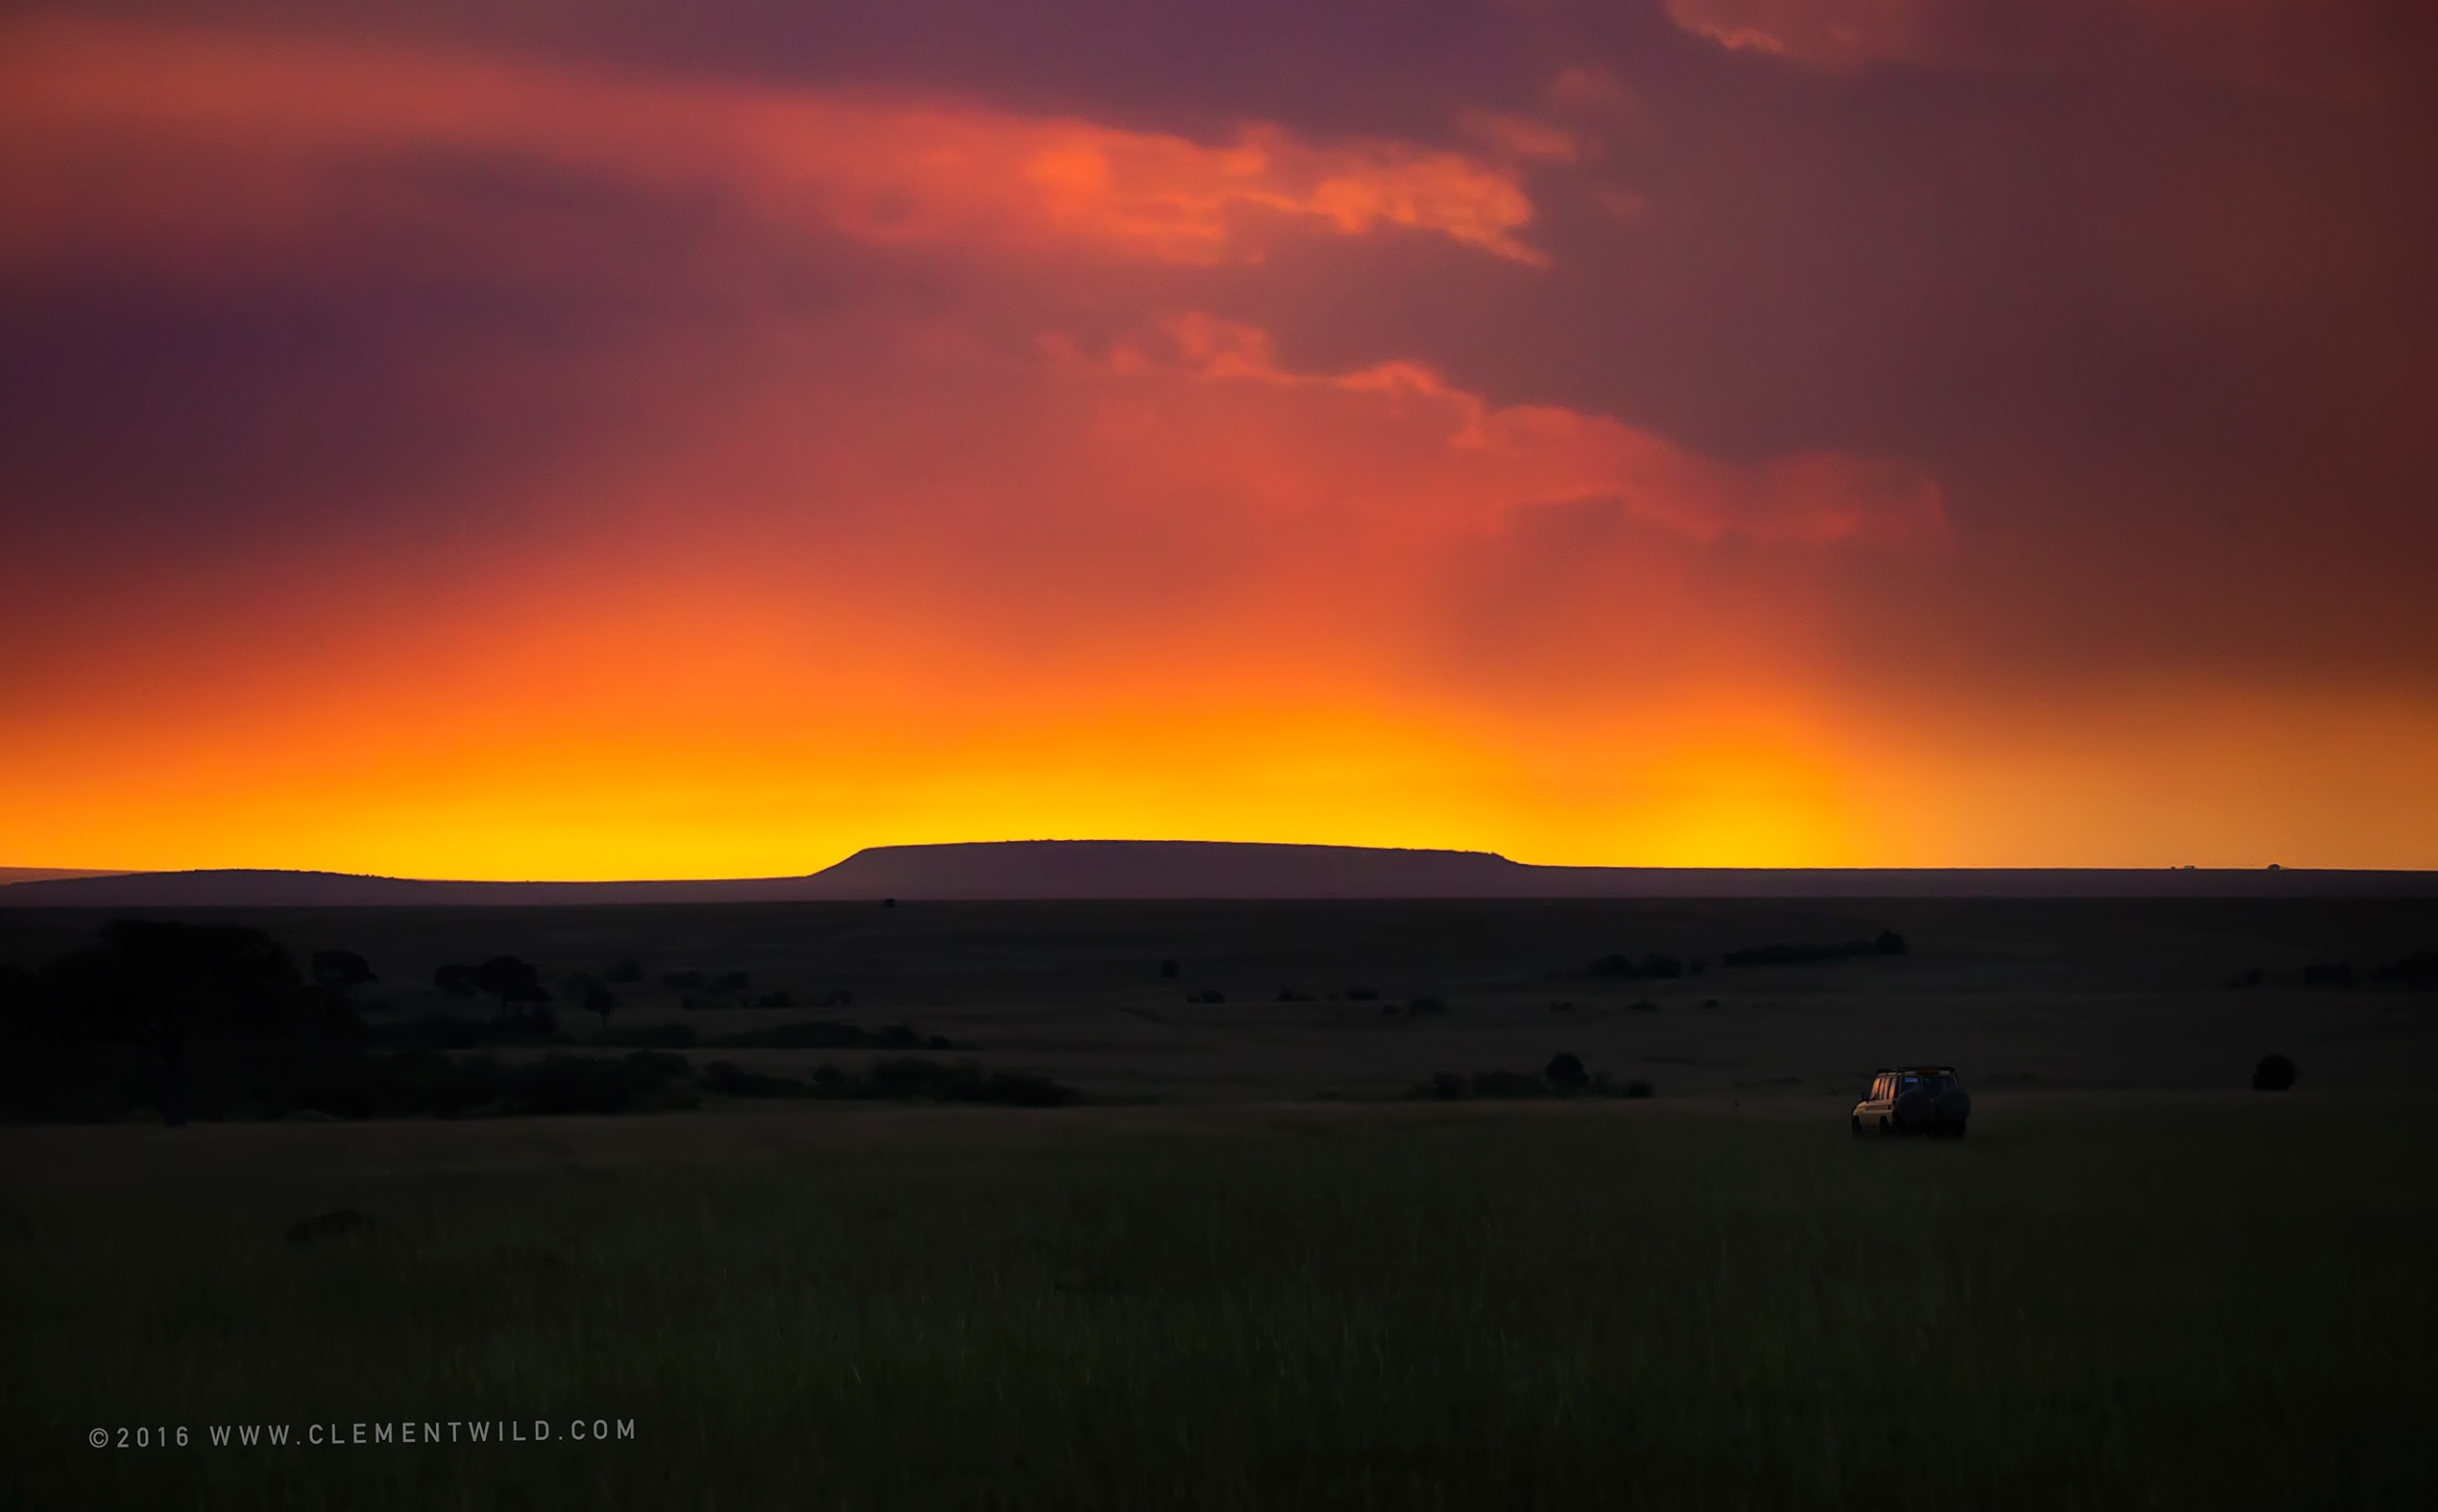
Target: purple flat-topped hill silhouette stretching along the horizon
column 1045, row 869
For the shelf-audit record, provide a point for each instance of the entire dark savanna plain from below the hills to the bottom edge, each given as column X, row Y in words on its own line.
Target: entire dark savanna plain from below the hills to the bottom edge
column 1320, row 1230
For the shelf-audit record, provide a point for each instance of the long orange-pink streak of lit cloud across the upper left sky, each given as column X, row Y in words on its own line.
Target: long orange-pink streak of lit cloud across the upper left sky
column 145, row 133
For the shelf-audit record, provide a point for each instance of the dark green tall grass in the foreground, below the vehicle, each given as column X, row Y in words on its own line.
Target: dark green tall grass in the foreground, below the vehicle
column 2208, row 1306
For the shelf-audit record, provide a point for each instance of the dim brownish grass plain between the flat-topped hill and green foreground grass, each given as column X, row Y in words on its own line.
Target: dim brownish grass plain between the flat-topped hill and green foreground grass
column 2020, row 994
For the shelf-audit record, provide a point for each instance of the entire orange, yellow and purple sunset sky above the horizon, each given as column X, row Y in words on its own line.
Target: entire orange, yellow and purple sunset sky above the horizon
column 650, row 440
